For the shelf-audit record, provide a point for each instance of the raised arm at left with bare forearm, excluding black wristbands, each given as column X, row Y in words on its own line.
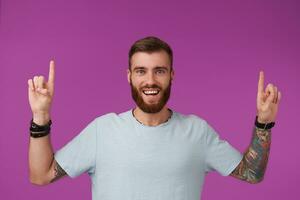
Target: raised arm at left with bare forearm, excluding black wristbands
column 43, row 168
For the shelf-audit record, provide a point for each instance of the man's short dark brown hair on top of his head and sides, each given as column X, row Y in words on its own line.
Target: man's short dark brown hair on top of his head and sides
column 150, row 44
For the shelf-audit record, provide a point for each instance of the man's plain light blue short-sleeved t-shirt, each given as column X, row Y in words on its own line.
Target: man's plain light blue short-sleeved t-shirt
column 130, row 161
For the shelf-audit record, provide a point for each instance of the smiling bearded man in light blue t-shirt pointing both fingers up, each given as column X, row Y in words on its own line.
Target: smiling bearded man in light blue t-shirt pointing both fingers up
column 150, row 152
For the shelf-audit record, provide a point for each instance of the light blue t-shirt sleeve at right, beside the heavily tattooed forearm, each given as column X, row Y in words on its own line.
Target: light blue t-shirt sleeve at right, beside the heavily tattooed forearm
column 220, row 155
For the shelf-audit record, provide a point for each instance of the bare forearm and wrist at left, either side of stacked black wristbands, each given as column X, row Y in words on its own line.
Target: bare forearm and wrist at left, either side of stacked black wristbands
column 40, row 155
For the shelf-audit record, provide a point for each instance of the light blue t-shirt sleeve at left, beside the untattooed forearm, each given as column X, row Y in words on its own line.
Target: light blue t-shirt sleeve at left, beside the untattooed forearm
column 79, row 155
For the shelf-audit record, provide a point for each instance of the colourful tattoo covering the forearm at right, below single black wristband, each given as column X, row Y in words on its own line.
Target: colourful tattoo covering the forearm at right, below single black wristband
column 253, row 165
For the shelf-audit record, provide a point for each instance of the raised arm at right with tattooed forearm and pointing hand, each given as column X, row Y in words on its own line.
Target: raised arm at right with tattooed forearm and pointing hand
column 253, row 165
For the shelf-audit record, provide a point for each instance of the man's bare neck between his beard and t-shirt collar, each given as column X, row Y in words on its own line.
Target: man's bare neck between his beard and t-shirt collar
column 152, row 119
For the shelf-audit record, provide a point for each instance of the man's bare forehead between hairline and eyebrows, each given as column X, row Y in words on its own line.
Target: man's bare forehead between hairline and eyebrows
column 150, row 60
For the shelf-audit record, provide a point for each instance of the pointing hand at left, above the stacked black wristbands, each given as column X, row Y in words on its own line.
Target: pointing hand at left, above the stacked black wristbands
column 40, row 93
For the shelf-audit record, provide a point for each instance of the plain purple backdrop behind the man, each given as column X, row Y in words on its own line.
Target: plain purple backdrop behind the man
column 219, row 48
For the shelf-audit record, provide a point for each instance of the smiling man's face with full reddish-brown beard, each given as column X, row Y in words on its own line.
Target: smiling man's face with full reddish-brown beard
column 150, row 79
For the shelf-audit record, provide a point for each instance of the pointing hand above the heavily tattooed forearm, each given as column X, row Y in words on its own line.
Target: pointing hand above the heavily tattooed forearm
column 267, row 101
